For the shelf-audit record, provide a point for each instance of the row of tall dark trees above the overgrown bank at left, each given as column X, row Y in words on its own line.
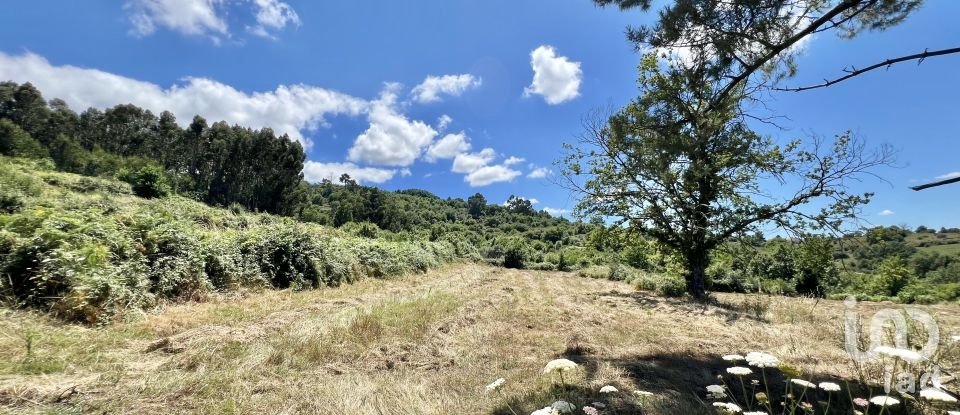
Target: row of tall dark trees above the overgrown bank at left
column 219, row 164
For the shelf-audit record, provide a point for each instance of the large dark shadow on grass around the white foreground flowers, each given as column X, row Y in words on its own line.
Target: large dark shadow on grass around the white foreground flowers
column 679, row 383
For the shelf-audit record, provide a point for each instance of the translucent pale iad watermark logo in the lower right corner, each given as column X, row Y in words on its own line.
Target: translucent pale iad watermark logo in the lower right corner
column 889, row 342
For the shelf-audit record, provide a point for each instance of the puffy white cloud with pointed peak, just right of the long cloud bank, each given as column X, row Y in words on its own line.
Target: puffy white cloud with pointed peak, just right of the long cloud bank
column 391, row 139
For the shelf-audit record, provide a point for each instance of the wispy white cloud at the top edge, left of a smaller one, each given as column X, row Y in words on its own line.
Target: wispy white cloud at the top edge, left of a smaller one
column 189, row 17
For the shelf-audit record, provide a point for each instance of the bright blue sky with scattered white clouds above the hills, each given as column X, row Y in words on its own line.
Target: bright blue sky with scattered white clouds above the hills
column 450, row 95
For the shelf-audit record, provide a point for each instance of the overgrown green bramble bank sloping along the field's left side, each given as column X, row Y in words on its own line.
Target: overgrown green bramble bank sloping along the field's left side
column 88, row 250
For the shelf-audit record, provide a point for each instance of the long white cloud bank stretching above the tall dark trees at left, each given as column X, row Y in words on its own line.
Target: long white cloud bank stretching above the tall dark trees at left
column 289, row 109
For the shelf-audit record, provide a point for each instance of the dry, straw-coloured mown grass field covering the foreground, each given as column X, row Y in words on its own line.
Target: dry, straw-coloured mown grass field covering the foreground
column 415, row 345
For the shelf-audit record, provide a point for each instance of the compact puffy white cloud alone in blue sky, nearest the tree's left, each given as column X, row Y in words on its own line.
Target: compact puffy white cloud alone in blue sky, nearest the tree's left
column 556, row 78
